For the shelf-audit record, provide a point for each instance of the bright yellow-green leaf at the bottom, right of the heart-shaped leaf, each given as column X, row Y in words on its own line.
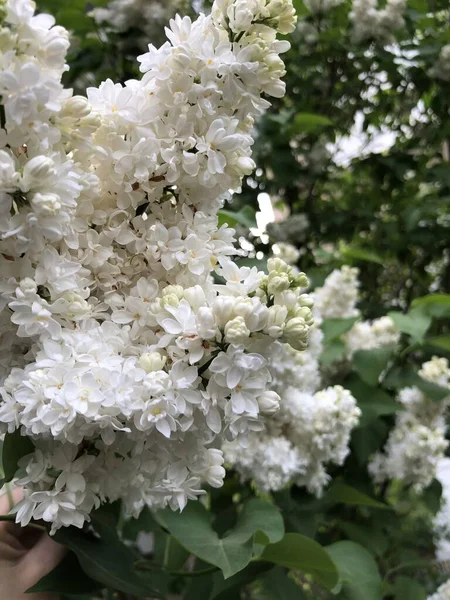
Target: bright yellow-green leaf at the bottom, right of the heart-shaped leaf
column 299, row 553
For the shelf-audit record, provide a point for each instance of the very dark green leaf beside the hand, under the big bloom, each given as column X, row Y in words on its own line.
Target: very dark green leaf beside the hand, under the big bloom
column 106, row 559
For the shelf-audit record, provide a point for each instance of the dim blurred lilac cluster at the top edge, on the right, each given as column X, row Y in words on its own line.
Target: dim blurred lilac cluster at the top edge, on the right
column 373, row 23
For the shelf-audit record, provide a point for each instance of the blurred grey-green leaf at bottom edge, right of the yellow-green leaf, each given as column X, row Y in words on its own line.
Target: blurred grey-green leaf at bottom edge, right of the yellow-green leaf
column 358, row 572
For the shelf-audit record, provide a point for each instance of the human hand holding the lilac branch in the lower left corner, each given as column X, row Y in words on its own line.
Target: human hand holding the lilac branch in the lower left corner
column 26, row 555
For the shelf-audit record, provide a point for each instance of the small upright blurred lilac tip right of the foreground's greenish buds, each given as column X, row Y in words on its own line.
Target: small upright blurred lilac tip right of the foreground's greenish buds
column 338, row 297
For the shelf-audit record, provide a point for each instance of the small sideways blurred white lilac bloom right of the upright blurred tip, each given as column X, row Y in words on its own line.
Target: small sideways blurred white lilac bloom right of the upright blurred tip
column 368, row 335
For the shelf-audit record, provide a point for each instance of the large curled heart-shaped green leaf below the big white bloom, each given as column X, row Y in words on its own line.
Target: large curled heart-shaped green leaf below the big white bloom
column 231, row 553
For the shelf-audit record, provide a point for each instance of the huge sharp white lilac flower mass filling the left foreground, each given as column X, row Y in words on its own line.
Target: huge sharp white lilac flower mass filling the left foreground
column 120, row 357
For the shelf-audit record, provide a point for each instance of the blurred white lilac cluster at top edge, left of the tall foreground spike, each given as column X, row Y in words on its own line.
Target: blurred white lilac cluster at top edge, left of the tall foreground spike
column 146, row 16
